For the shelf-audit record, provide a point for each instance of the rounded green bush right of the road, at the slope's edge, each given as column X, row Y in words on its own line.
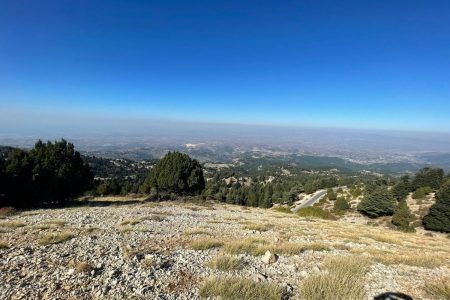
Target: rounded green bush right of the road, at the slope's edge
column 379, row 202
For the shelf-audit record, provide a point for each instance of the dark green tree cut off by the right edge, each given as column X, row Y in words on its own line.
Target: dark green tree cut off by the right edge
column 438, row 217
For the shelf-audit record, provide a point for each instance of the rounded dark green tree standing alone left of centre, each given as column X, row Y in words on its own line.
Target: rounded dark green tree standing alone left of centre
column 176, row 172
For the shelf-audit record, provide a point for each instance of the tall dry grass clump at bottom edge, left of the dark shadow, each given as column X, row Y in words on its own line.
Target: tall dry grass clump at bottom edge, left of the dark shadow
column 344, row 279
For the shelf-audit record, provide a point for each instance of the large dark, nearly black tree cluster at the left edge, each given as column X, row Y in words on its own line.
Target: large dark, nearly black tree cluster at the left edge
column 49, row 173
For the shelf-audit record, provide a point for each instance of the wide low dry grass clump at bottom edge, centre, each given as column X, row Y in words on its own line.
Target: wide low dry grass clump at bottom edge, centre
column 239, row 288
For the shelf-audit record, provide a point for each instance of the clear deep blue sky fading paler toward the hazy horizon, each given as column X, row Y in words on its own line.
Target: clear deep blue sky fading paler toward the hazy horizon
column 357, row 64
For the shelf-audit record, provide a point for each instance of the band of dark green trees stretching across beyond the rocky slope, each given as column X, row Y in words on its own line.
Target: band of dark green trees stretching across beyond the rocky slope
column 53, row 173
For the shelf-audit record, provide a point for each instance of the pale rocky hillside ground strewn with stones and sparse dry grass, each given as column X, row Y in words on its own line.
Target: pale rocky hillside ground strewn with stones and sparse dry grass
column 162, row 251
